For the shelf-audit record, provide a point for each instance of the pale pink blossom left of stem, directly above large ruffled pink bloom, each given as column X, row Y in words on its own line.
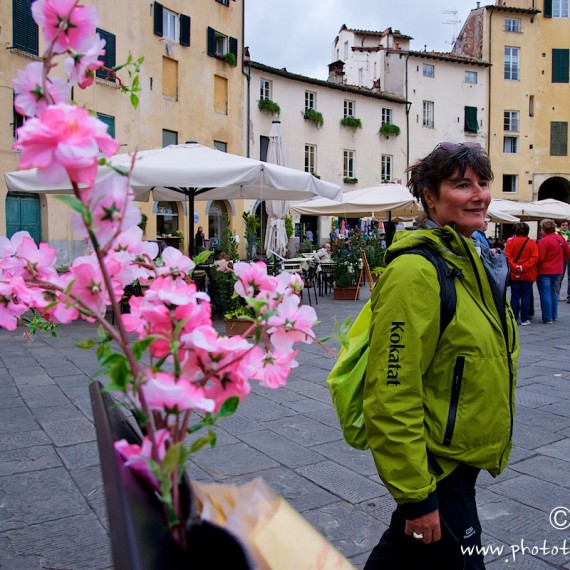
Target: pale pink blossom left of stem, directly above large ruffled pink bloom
column 31, row 100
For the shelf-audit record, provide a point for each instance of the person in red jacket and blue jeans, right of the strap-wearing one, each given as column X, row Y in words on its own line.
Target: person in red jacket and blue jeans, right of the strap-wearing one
column 553, row 251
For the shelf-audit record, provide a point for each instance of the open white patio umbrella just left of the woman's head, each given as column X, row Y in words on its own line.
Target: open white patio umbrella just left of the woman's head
column 392, row 199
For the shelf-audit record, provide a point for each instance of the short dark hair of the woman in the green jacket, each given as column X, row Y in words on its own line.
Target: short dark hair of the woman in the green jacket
column 444, row 161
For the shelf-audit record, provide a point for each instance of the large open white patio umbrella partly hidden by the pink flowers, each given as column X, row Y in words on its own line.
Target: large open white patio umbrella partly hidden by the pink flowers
column 198, row 173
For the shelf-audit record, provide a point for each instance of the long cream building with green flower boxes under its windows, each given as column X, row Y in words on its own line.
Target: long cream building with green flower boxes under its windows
column 354, row 157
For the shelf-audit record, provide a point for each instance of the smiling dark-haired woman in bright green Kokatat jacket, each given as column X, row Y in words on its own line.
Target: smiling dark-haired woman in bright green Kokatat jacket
column 438, row 409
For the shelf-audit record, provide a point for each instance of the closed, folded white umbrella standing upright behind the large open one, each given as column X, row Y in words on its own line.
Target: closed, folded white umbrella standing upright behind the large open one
column 276, row 235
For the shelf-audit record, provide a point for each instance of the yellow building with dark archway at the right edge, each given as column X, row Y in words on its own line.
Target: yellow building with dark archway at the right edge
column 527, row 43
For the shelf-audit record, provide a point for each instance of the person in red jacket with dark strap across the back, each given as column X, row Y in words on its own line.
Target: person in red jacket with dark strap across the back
column 522, row 255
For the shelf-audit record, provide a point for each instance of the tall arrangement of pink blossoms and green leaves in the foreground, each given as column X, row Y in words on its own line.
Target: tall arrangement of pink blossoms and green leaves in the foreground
column 164, row 360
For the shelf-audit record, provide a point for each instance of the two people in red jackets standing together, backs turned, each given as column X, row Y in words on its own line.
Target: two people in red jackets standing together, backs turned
column 545, row 263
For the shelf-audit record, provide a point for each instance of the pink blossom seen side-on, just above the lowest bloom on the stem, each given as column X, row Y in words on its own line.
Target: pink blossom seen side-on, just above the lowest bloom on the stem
column 163, row 393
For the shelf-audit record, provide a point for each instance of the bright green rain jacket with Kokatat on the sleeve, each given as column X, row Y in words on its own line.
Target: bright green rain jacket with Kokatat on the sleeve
column 432, row 403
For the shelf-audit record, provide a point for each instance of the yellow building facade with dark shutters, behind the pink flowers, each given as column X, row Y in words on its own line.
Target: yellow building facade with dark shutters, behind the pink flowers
column 192, row 89
